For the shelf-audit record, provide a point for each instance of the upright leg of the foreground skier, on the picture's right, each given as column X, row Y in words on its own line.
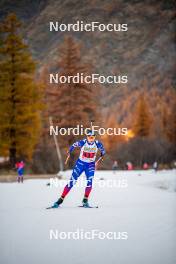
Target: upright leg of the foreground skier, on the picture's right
column 89, row 171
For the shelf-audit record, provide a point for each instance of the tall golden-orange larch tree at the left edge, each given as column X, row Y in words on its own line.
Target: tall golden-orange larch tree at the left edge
column 20, row 96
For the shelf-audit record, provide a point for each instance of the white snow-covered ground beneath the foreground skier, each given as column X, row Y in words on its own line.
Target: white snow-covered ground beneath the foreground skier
column 139, row 206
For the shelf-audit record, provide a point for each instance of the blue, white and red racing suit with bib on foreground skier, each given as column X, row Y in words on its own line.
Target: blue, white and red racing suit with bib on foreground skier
column 85, row 163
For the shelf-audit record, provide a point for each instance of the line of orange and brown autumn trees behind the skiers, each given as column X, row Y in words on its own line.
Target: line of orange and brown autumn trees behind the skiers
column 28, row 101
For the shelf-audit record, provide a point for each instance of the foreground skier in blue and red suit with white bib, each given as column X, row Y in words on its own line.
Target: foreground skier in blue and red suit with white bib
column 85, row 163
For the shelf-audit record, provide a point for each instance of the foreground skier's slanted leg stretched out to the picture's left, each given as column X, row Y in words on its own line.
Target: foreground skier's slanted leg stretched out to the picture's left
column 77, row 170
